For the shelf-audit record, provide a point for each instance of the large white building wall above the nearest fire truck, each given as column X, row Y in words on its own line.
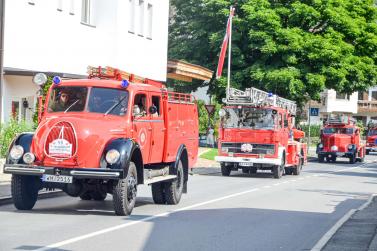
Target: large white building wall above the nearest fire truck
column 41, row 38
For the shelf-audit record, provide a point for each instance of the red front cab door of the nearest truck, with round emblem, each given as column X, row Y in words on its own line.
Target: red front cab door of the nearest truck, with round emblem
column 141, row 124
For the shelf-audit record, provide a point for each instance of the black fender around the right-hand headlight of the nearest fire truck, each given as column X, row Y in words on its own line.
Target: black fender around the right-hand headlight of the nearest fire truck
column 129, row 151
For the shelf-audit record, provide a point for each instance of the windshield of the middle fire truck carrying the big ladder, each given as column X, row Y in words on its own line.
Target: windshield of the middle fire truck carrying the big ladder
column 250, row 118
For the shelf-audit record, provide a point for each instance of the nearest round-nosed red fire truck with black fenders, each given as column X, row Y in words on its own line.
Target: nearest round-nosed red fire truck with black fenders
column 114, row 132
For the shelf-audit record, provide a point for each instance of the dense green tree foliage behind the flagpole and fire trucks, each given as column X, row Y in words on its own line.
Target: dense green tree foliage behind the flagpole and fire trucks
column 293, row 48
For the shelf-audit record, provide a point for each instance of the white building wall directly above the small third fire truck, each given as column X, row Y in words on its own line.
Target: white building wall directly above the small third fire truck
column 339, row 105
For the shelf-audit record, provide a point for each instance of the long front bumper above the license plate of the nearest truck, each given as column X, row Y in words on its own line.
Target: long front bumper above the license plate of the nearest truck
column 77, row 173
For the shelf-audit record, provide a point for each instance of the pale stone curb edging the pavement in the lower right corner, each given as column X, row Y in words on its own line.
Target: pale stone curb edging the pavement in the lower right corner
column 330, row 233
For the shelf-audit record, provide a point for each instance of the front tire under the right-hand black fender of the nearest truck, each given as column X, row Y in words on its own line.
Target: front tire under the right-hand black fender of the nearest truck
column 124, row 192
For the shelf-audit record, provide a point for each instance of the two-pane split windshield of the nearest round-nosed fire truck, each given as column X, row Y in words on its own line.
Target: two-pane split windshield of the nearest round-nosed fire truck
column 101, row 100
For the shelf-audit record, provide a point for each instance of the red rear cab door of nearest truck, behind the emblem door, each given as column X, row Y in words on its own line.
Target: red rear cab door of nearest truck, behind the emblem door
column 158, row 129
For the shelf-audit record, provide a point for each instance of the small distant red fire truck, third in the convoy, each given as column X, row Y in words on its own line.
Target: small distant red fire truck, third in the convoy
column 340, row 137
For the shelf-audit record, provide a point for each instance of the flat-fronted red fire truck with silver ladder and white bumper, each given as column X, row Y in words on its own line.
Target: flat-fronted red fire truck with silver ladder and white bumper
column 256, row 133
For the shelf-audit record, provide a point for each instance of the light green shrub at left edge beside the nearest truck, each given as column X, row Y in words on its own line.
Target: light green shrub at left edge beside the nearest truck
column 9, row 131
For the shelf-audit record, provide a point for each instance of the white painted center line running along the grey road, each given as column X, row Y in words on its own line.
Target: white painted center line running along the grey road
column 114, row 228
